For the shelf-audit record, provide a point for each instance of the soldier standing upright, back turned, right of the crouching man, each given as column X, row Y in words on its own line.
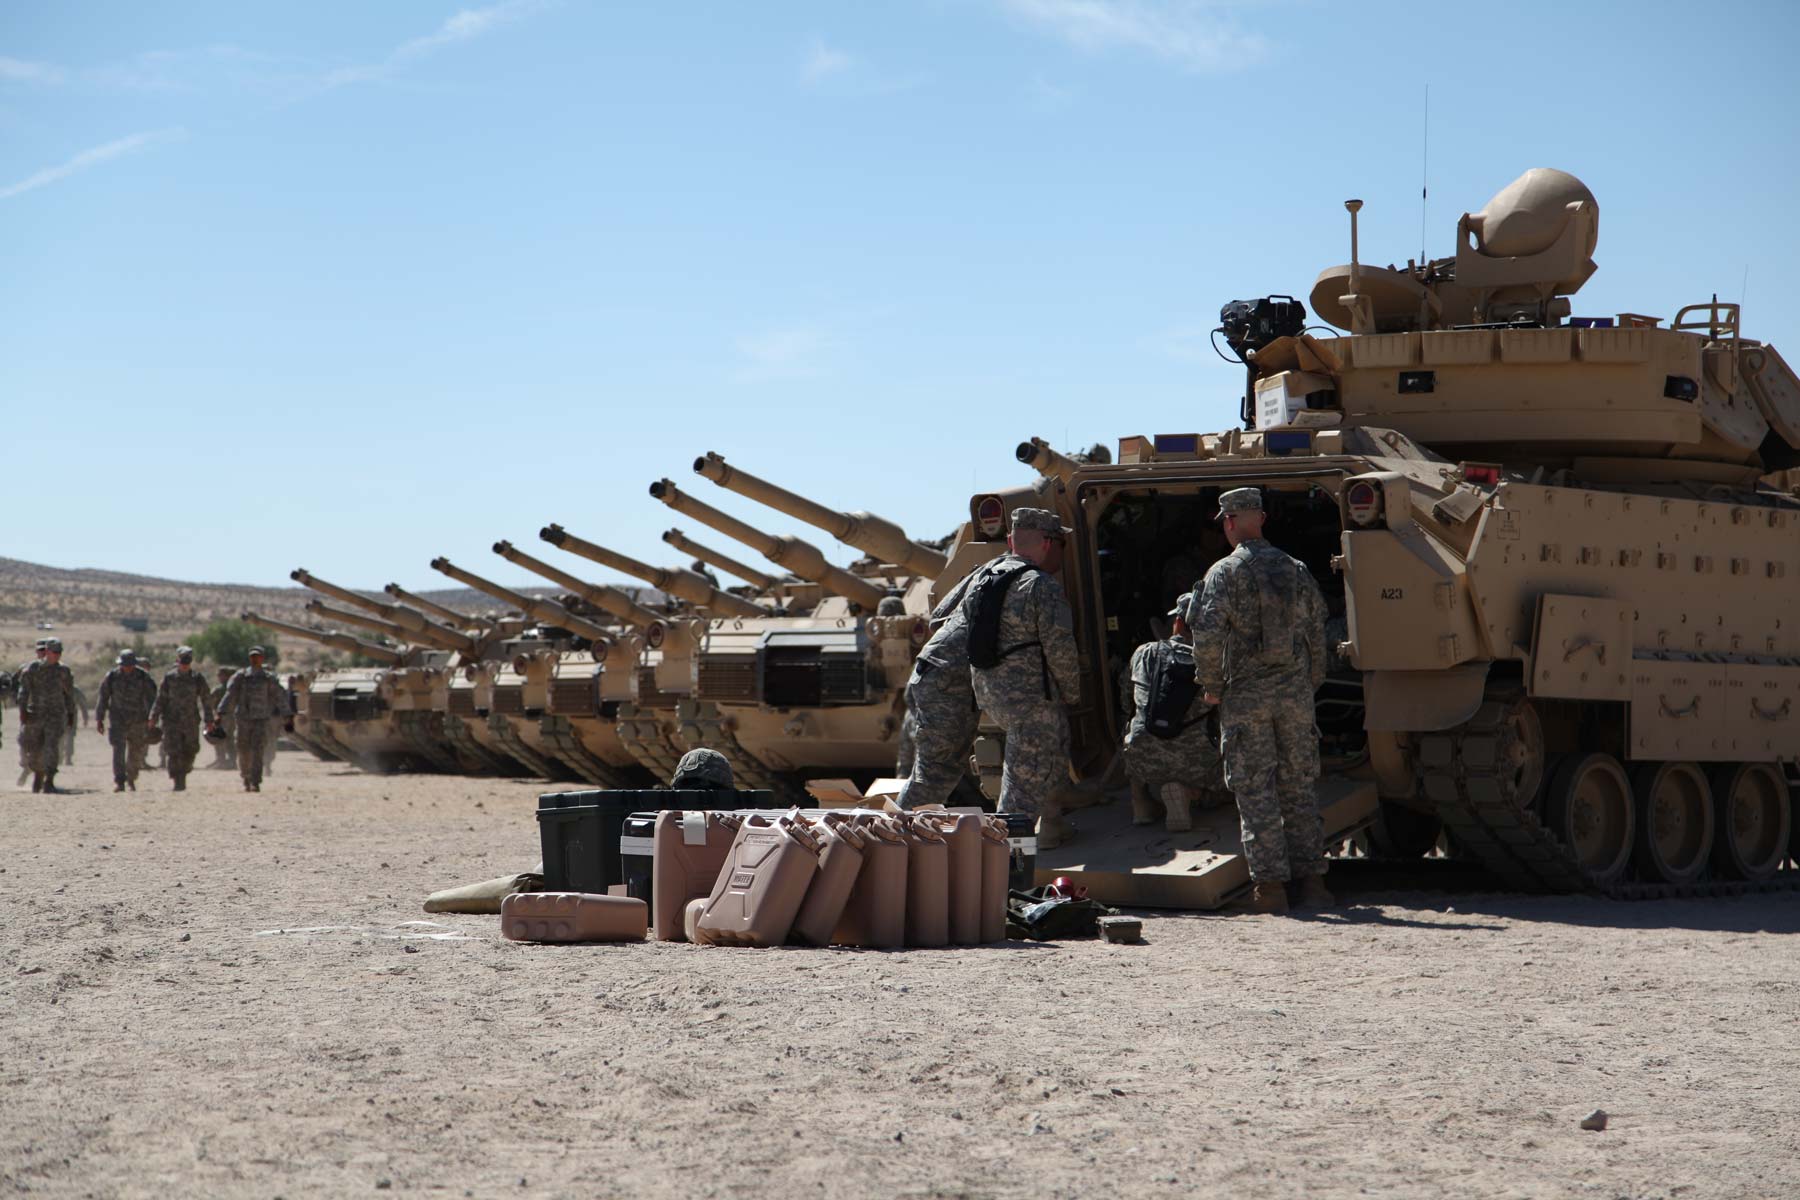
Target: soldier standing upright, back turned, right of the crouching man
column 1259, row 650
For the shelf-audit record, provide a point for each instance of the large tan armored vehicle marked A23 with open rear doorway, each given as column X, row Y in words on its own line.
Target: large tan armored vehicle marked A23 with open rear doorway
column 1554, row 569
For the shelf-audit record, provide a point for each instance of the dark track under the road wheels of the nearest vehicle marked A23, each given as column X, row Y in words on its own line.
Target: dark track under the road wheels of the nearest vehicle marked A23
column 1462, row 775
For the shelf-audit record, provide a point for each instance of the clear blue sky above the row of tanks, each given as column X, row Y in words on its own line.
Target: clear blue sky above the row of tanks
column 355, row 285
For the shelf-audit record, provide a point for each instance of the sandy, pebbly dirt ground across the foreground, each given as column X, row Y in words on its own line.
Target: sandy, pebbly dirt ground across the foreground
column 222, row 994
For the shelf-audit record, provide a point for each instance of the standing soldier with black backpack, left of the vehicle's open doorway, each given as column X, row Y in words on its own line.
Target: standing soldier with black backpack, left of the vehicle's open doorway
column 1038, row 676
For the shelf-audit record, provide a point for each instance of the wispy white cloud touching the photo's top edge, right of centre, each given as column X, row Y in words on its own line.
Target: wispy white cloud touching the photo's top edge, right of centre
column 1182, row 31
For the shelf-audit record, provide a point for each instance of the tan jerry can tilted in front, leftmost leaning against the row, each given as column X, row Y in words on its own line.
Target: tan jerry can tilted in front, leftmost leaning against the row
column 762, row 884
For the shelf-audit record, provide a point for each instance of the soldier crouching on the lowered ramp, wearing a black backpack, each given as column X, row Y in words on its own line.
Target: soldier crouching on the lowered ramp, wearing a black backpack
column 1169, row 746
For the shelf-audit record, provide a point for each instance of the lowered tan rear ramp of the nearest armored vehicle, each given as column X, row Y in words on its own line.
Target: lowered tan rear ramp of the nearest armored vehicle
column 1149, row 868
